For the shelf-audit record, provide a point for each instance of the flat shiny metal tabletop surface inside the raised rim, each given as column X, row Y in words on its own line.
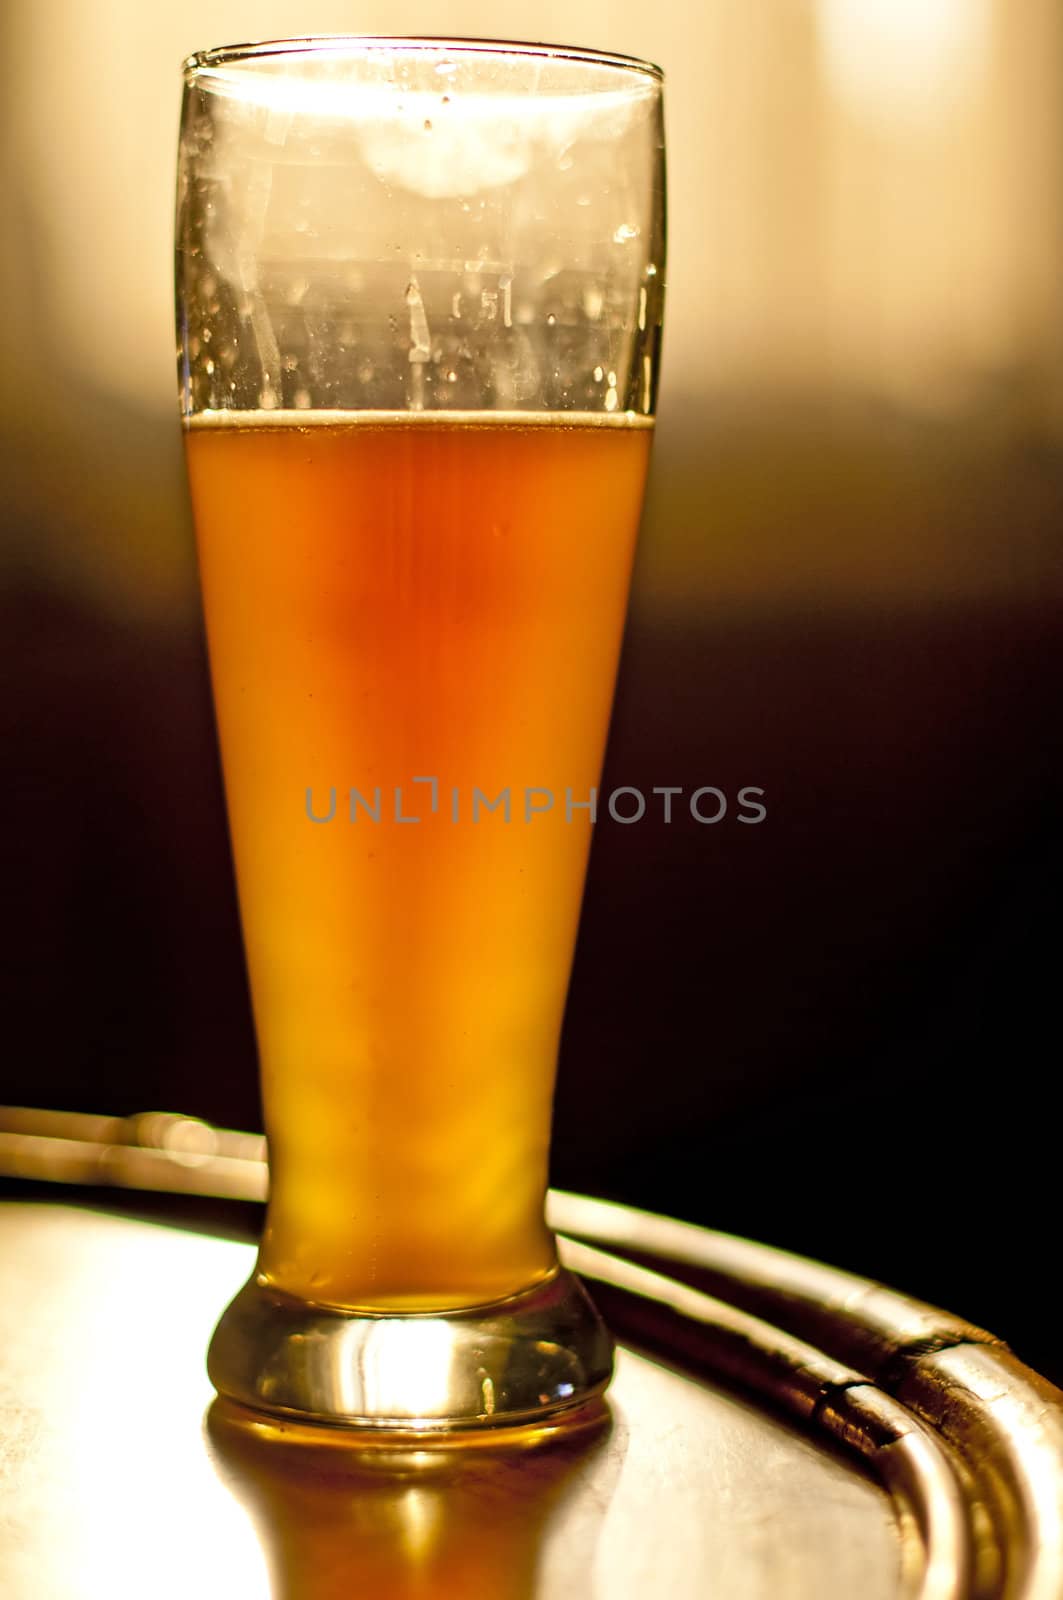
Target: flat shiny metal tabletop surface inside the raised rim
column 116, row 1481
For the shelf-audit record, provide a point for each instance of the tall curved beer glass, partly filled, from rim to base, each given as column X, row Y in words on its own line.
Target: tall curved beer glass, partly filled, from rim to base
column 420, row 290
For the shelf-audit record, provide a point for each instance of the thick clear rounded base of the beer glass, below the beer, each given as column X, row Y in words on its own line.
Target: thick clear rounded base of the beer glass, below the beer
column 518, row 1361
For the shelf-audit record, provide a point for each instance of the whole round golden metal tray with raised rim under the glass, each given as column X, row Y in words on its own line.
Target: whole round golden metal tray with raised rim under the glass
column 777, row 1428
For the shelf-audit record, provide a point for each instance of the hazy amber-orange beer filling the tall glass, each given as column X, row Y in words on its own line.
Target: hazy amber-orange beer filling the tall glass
column 412, row 617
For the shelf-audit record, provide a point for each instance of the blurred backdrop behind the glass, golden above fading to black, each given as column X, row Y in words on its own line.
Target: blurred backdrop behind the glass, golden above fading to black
column 835, row 1031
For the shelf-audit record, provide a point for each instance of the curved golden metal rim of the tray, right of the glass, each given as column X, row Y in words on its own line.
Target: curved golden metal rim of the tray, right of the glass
column 979, row 1414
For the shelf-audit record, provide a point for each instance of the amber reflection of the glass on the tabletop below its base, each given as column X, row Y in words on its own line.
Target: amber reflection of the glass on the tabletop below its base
column 447, row 1522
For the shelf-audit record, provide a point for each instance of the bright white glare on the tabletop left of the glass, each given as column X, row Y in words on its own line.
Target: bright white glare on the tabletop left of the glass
column 102, row 1391
